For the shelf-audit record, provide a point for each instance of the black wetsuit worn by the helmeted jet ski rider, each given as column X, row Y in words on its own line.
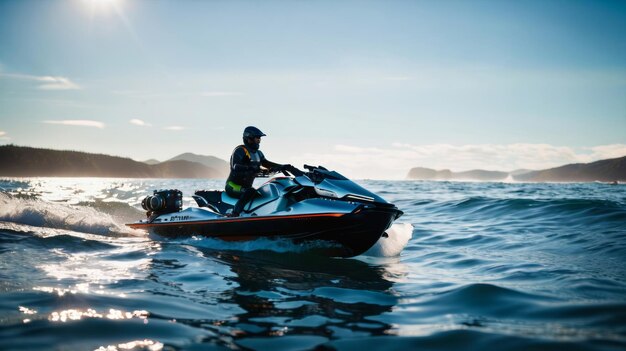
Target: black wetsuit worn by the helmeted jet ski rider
column 245, row 164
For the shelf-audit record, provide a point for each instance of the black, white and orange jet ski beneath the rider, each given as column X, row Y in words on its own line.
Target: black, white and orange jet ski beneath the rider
column 316, row 205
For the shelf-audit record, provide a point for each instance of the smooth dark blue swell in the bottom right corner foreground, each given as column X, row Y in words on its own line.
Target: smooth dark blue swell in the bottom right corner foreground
column 488, row 308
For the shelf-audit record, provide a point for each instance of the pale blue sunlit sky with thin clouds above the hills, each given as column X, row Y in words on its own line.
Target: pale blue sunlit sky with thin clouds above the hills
column 368, row 88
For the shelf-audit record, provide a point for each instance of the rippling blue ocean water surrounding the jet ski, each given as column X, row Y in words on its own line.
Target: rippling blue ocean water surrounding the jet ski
column 471, row 266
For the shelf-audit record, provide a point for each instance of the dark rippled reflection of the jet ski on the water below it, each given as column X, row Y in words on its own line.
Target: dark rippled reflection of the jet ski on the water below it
column 285, row 294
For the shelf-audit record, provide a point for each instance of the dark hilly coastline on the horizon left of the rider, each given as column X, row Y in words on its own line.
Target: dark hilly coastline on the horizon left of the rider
column 18, row 161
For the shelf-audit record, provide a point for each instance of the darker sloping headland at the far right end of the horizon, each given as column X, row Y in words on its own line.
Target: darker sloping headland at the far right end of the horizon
column 604, row 171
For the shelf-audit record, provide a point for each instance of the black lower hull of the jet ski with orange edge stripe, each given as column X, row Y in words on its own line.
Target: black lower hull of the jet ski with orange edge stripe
column 349, row 234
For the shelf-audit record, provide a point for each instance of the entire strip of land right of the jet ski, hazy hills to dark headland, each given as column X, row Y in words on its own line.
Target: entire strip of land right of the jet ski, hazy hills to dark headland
column 610, row 170
